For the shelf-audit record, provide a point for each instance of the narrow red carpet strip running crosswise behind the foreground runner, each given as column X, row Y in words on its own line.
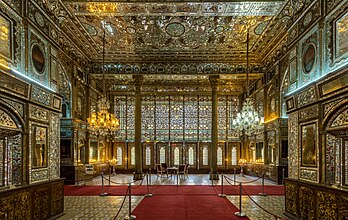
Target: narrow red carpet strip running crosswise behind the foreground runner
column 171, row 190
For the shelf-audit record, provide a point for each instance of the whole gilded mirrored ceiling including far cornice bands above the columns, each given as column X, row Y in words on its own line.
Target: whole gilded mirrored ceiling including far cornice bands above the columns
column 166, row 35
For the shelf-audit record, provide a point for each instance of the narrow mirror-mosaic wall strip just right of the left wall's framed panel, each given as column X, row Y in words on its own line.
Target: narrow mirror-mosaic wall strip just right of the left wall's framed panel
column 54, row 149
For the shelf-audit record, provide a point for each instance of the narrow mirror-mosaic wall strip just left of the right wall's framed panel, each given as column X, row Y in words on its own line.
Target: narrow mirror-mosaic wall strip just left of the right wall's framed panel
column 293, row 146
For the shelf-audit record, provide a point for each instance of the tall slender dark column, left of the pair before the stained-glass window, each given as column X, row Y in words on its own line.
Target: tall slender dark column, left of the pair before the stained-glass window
column 137, row 126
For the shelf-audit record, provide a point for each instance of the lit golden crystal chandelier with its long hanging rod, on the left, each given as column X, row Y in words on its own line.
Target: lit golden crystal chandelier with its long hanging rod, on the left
column 103, row 123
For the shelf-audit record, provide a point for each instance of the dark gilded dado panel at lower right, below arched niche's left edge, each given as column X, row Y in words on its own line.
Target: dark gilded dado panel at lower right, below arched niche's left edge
column 327, row 205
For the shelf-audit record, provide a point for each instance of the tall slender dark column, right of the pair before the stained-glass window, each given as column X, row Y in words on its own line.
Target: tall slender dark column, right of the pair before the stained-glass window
column 214, row 127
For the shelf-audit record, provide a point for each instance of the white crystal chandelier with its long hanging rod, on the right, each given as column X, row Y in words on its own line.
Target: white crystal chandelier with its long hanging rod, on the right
column 248, row 119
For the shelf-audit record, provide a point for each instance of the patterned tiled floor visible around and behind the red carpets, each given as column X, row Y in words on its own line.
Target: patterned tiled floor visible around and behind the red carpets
column 98, row 207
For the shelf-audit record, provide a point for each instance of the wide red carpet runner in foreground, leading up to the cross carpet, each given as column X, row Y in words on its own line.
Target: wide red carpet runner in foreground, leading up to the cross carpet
column 182, row 207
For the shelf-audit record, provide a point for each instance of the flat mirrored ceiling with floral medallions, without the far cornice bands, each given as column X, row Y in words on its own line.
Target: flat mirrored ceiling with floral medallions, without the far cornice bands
column 172, row 28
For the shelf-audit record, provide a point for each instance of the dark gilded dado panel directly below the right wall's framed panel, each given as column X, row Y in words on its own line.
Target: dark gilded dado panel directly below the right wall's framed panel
column 307, row 203
